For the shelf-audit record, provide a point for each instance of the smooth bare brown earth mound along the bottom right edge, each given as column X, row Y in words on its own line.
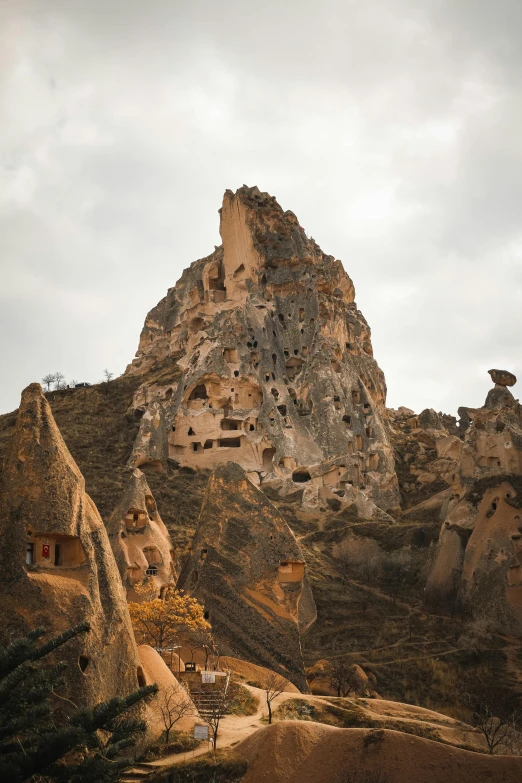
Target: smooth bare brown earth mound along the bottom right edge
column 297, row 751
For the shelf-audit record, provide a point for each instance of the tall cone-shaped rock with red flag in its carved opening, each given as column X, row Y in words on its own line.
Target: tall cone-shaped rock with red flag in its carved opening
column 56, row 565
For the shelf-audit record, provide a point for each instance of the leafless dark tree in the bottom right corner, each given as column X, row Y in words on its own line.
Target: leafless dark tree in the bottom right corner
column 497, row 721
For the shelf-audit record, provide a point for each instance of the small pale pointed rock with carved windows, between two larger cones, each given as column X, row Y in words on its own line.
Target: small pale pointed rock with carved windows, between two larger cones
column 139, row 539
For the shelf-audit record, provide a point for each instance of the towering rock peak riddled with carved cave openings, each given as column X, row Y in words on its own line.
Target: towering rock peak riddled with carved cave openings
column 278, row 367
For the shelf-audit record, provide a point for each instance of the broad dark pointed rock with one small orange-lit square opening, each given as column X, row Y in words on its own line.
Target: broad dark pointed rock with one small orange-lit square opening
column 248, row 570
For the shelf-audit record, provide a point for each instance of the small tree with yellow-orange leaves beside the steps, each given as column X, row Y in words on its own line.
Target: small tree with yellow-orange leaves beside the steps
column 161, row 622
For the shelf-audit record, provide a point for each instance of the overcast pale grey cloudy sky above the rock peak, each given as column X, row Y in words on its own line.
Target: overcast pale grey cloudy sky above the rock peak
column 392, row 128
